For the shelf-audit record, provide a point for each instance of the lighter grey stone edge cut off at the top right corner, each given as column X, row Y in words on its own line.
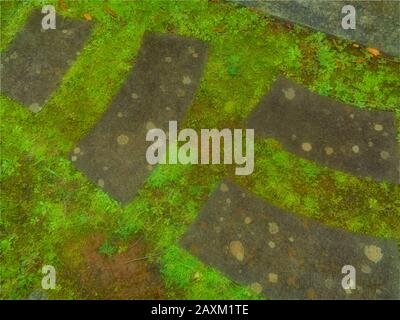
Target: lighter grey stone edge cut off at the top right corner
column 377, row 22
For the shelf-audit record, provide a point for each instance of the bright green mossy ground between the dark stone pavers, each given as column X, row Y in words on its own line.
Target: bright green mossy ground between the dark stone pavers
column 46, row 204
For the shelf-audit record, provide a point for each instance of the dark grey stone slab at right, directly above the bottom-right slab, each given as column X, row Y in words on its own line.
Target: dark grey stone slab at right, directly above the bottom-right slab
column 359, row 141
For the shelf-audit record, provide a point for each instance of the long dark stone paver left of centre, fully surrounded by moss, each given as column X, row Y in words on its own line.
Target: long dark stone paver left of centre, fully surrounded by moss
column 160, row 88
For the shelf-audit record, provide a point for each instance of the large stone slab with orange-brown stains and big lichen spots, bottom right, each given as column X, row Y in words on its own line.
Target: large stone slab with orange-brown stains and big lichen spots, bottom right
column 286, row 256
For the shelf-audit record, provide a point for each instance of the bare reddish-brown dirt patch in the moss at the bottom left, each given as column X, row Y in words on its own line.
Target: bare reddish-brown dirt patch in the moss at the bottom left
column 125, row 275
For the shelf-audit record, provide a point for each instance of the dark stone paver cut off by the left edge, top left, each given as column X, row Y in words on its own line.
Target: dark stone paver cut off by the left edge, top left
column 35, row 62
